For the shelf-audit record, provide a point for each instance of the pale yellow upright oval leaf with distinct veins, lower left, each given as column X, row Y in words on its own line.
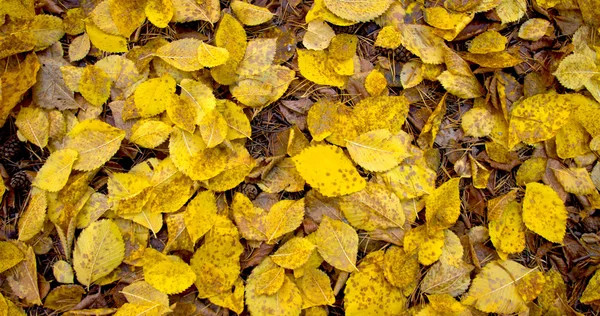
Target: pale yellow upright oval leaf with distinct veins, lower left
column 98, row 251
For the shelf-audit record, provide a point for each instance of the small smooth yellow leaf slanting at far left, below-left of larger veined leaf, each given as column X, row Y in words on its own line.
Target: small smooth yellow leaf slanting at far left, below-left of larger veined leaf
column 55, row 172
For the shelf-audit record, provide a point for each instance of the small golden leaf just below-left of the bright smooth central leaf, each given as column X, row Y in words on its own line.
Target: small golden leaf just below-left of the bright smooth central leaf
column 283, row 217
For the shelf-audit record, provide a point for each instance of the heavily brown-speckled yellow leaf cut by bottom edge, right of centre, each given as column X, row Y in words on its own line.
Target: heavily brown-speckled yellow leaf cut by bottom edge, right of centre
column 368, row 292
